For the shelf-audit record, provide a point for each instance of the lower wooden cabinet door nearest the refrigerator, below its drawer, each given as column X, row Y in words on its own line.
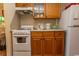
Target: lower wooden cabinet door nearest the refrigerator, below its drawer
column 59, row 46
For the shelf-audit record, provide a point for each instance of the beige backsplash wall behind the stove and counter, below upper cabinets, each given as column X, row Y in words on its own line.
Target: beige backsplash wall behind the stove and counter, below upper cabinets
column 29, row 20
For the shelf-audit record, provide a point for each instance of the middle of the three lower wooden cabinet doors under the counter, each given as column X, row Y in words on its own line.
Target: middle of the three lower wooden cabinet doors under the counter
column 48, row 47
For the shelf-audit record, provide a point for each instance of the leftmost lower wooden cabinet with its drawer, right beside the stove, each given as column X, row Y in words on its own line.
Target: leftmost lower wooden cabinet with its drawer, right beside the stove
column 36, row 43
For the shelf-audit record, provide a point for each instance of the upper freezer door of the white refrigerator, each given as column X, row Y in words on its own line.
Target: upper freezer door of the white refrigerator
column 74, row 15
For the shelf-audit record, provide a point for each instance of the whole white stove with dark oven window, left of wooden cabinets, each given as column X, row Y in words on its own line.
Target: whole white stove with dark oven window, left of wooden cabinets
column 21, row 42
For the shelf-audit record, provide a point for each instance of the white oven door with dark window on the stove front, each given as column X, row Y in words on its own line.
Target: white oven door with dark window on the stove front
column 21, row 43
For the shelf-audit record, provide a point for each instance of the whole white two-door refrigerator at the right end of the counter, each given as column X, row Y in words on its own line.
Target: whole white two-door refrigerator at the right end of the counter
column 70, row 22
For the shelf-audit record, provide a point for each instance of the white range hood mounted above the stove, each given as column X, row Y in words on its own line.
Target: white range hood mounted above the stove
column 24, row 11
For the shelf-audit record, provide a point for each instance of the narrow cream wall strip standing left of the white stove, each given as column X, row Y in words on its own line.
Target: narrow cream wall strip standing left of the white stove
column 9, row 11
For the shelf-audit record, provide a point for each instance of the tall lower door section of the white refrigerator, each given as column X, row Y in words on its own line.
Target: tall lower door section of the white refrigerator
column 72, row 41
